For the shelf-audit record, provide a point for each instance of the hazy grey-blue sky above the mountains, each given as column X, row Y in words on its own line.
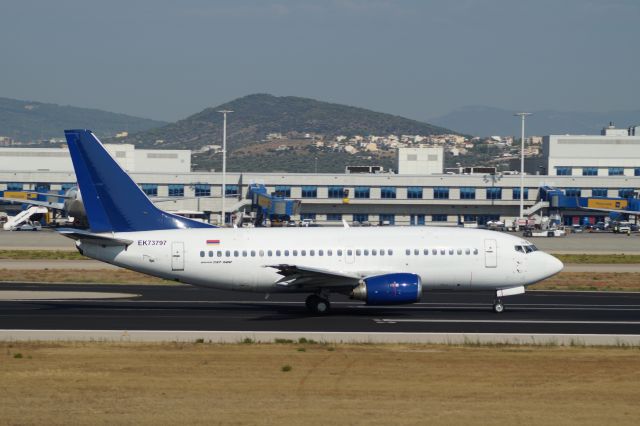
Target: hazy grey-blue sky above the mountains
column 167, row 59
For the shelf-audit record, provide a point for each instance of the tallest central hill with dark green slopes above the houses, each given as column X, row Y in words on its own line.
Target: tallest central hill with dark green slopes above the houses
column 255, row 116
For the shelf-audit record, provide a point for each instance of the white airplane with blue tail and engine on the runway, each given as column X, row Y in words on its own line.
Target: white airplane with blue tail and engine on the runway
column 389, row 265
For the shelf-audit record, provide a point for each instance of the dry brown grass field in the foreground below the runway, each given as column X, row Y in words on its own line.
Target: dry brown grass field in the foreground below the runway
column 191, row 383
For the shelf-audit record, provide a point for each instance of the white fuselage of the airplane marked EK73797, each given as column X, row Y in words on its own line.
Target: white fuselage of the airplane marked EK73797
column 239, row 259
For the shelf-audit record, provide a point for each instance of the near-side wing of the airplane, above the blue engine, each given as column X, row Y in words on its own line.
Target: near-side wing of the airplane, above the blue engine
column 306, row 277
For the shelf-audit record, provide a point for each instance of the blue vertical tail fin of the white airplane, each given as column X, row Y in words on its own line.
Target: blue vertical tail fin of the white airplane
column 112, row 200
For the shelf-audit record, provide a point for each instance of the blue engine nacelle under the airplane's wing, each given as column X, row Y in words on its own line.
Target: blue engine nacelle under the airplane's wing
column 389, row 289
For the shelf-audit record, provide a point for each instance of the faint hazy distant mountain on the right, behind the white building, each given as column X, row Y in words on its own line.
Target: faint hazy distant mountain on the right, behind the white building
column 488, row 121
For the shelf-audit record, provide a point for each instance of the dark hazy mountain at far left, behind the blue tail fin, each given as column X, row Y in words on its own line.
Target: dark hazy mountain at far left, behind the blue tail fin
column 31, row 121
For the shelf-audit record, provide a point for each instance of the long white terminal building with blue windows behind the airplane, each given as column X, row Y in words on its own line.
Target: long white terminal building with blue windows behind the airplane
column 419, row 194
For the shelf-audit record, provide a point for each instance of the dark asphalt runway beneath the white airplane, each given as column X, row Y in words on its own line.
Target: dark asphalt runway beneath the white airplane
column 196, row 309
